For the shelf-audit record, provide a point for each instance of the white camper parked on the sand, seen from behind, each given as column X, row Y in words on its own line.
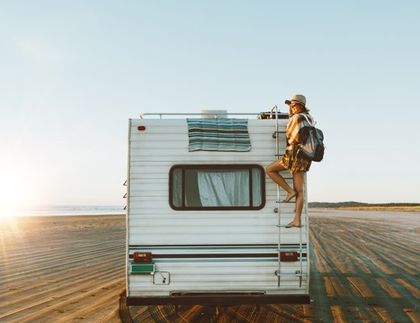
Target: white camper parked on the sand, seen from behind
column 208, row 226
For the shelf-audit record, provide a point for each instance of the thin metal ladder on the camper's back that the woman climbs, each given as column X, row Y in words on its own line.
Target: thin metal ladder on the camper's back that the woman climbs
column 278, row 272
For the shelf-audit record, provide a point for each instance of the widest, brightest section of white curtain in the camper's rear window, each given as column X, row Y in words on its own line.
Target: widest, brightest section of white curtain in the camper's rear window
column 224, row 188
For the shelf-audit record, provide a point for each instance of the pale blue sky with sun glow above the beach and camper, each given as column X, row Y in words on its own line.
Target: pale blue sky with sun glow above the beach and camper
column 73, row 72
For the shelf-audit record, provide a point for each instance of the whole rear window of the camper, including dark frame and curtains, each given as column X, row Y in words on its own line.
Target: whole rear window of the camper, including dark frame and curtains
column 217, row 187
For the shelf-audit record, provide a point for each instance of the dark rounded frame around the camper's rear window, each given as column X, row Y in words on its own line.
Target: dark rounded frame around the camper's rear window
column 184, row 167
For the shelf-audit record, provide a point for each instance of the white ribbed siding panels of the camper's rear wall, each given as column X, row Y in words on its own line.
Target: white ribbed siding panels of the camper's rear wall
column 153, row 152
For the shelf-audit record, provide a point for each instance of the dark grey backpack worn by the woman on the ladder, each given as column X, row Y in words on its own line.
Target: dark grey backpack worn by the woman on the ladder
column 312, row 146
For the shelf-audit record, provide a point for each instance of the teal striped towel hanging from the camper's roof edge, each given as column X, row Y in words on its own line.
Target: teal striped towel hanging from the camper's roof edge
column 218, row 134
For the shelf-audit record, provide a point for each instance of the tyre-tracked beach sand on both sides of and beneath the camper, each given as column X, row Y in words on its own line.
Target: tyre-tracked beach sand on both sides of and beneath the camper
column 364, row 266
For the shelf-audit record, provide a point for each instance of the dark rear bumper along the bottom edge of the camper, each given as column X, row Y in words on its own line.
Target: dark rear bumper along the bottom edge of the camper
column 219, row 299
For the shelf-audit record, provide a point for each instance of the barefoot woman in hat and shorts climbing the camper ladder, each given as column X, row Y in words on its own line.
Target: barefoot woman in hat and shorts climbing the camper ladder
column 296, row 165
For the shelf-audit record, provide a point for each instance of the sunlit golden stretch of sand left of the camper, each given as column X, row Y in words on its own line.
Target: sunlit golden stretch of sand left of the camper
column 62, row 268
